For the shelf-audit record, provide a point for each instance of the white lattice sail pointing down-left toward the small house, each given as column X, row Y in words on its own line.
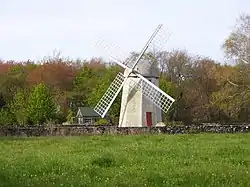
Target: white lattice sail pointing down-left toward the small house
column 109, row 96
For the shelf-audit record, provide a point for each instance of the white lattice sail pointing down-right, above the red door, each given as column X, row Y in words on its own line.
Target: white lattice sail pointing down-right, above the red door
column 153, row 93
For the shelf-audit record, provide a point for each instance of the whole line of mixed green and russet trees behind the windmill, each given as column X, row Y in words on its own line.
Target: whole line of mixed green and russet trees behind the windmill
column 205, row 90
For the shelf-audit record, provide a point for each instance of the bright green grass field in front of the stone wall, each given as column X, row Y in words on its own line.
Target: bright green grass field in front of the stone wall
column 143, row 160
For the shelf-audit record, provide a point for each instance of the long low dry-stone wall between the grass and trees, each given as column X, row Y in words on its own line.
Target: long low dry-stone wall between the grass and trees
column 76, row 130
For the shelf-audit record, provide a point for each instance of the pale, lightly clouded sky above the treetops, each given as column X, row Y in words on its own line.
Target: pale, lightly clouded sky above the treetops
column 34, row 29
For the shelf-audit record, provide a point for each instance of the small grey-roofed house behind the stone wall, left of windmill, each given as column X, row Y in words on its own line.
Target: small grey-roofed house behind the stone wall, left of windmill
column 86, row 115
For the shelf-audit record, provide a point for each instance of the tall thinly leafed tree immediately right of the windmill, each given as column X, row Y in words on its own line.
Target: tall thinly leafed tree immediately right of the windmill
column 175, row 70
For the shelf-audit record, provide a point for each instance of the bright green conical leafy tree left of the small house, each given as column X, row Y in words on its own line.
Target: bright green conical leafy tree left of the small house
column 40, row 105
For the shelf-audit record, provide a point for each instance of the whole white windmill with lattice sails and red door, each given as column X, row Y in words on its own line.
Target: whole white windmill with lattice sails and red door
column 142, row 99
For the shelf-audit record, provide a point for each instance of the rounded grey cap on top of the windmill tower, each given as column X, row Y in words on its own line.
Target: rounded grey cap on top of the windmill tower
column 146, row 68
